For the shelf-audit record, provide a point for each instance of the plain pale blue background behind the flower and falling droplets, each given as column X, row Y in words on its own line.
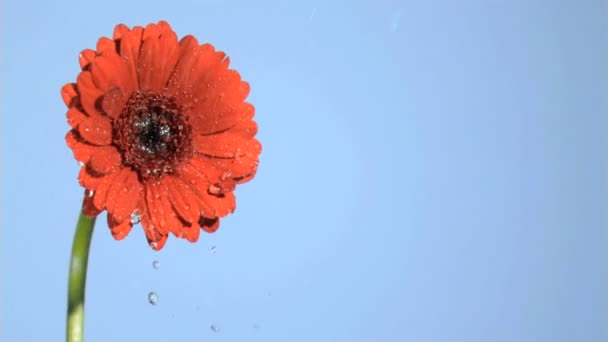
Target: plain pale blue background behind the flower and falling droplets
column 431, row 171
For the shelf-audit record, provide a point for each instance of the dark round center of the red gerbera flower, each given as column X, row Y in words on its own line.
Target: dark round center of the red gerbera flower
column 152, row 134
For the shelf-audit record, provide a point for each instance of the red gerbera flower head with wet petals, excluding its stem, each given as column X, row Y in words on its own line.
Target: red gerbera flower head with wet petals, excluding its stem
column 163, row 131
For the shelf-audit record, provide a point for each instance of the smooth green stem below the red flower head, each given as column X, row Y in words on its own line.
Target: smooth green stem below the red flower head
column 78, row 278
